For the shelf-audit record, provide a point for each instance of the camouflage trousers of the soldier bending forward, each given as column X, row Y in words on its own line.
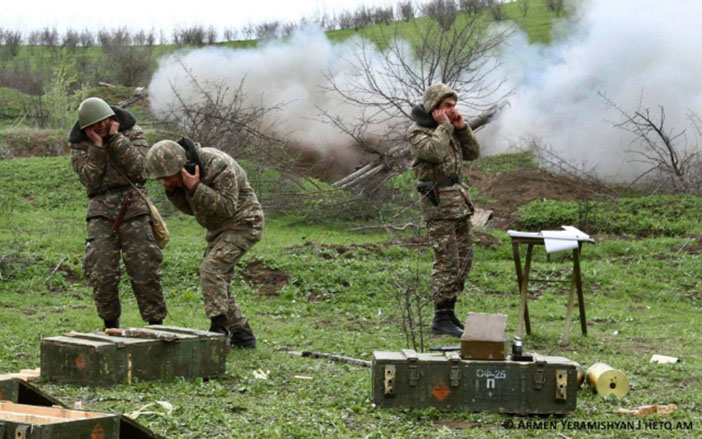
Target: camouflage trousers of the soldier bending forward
column 217, row 270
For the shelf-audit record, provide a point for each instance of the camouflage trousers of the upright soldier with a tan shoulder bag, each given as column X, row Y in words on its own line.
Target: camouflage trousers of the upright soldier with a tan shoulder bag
column 142, row 258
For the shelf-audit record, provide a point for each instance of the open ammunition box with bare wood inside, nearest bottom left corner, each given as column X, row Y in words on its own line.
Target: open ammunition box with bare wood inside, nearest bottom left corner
column 20, row 421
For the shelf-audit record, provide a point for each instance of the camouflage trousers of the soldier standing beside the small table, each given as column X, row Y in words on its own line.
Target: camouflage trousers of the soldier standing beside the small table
column 453, row 256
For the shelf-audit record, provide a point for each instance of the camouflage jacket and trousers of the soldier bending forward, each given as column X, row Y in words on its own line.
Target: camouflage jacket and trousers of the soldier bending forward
column 224, row 203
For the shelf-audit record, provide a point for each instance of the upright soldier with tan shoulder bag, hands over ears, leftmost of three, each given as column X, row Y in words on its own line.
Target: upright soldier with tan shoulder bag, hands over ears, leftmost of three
column 106, row 143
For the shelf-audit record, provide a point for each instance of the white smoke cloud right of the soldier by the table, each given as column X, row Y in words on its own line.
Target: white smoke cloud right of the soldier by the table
column 624, row 49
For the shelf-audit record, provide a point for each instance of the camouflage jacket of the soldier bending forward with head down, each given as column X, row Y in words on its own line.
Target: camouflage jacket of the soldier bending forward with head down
column 223, row 199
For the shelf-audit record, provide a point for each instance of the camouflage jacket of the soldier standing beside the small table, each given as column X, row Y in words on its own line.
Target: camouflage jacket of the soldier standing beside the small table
column 438, row 152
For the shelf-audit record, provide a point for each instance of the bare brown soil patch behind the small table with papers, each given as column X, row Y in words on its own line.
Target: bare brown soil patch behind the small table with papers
column 511, row 189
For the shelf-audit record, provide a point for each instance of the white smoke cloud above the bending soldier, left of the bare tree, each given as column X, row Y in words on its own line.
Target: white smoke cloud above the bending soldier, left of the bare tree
column 290, row 73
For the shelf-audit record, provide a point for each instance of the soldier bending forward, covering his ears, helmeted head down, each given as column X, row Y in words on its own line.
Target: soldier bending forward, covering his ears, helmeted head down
column 209, row 184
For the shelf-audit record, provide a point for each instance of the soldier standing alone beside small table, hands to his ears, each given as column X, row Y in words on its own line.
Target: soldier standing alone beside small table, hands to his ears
column 440, row 141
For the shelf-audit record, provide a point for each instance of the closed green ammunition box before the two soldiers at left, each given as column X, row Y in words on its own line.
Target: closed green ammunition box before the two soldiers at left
column 101, row 360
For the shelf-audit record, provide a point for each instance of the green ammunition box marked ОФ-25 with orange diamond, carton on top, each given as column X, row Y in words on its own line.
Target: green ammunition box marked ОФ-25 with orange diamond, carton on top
column 407, row 379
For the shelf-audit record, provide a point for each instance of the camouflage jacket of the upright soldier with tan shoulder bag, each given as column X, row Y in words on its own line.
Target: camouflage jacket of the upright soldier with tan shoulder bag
column 105, row 186
